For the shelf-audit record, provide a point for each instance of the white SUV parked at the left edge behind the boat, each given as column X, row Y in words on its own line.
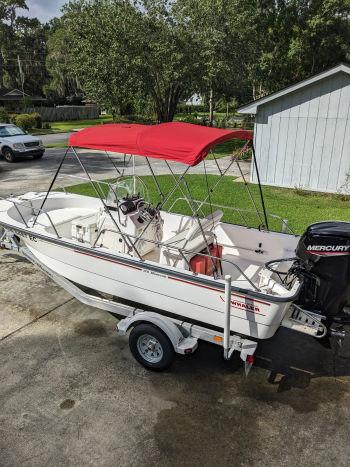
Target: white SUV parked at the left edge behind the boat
column 15, row 142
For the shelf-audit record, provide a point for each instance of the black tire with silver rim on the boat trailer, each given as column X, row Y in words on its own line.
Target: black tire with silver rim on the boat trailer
column 151, row 347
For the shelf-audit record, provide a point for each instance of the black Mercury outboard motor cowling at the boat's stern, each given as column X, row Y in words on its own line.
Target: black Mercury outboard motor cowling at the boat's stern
column 325, row 253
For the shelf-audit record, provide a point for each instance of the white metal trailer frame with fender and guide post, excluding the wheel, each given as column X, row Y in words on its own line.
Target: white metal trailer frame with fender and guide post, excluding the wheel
column 183, row 335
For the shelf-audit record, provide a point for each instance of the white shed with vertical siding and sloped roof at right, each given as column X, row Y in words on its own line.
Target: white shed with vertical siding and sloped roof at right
column 302, row 133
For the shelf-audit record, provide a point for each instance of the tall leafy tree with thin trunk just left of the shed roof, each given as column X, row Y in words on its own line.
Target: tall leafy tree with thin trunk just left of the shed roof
column 224, row 46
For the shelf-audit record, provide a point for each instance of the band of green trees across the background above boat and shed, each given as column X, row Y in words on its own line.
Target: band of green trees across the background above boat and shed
column 128, row 54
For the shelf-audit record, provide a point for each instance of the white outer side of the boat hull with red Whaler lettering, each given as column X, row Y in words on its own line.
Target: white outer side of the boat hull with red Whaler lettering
column 180, row 294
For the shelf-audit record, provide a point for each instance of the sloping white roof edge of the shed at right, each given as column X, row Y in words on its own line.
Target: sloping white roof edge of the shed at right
column 252, row 107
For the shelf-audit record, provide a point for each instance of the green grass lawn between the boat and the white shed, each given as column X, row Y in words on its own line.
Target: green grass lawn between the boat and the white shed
column 300, row 208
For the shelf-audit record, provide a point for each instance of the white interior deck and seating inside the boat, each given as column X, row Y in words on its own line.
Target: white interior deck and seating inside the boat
column 244, row 251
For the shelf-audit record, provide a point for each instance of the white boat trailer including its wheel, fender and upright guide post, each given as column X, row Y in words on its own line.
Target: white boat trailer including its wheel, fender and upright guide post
column 183, row 336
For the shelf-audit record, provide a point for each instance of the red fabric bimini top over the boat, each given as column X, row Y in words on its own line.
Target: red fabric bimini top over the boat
column 180, row 142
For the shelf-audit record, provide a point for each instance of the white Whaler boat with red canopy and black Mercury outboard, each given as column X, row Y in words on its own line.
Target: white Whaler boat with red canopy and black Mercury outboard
column 186, row 267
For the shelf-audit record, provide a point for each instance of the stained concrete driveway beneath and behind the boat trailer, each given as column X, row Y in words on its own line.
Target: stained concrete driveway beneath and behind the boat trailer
column 71, row 394
